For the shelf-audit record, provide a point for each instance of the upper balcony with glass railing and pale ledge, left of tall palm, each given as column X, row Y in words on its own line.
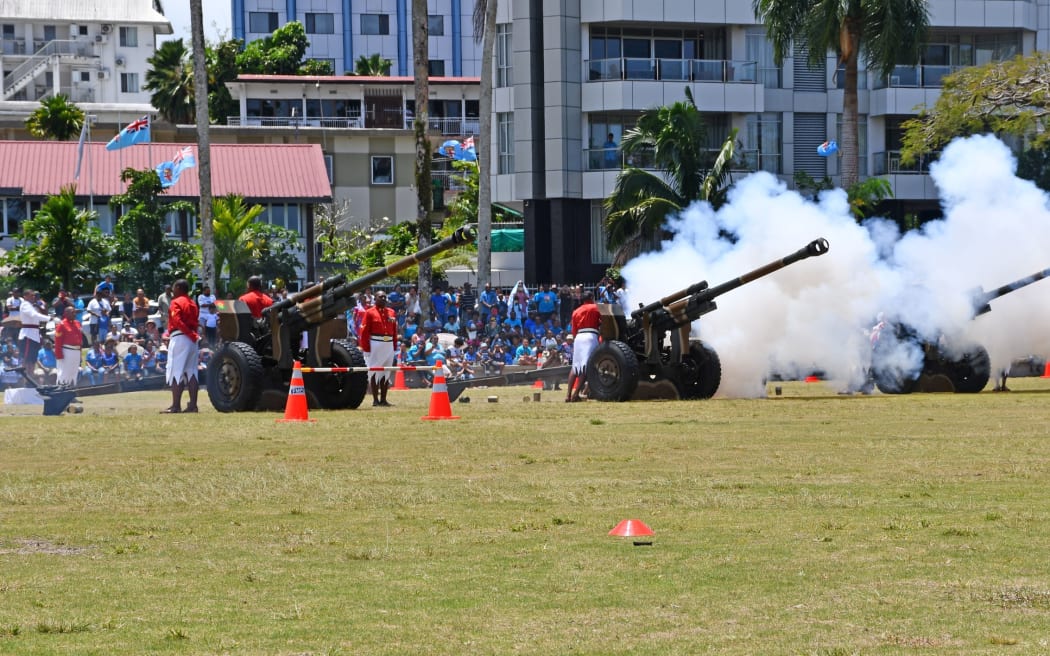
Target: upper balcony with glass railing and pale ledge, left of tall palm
column 633, row 83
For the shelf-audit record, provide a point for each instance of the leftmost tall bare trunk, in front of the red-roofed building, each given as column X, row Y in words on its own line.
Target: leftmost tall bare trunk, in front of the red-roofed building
column 204, row 144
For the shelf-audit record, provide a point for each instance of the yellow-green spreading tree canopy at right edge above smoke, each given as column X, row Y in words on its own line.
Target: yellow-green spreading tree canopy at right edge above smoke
column 1005, row 98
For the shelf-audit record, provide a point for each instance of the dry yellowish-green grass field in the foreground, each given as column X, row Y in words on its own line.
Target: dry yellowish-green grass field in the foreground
column 803, row 524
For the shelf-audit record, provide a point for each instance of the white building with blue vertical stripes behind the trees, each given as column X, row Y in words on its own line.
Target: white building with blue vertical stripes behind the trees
column 342, row 32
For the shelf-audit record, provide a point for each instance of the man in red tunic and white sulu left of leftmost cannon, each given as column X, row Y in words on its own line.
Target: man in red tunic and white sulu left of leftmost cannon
column 184, row 324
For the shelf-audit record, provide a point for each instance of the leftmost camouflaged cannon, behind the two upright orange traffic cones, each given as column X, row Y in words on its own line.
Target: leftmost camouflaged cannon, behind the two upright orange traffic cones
column 254, row 368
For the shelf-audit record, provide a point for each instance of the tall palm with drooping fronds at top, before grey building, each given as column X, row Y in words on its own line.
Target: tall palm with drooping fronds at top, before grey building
column 889, row 32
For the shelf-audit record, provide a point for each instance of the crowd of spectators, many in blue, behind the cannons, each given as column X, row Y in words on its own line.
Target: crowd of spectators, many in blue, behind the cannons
column 474, row 333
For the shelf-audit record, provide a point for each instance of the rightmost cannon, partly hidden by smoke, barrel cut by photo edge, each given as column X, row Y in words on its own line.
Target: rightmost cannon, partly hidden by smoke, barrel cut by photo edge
column 902, row 363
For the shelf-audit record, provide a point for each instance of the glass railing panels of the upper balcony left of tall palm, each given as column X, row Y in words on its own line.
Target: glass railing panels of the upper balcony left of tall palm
column 674, row 70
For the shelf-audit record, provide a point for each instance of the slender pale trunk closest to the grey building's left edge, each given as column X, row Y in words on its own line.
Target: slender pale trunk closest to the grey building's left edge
column 486, row 149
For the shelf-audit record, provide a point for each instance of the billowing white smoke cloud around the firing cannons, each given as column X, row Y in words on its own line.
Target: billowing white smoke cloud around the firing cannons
column 816, row 313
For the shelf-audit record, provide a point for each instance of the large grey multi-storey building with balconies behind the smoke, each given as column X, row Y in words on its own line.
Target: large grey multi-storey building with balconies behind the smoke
column 570, row 73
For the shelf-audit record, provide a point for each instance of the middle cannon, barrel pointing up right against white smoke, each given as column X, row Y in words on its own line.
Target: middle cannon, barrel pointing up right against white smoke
column 637, row 361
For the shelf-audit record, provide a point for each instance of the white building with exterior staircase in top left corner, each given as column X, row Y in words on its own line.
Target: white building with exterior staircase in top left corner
column 91, row 51
